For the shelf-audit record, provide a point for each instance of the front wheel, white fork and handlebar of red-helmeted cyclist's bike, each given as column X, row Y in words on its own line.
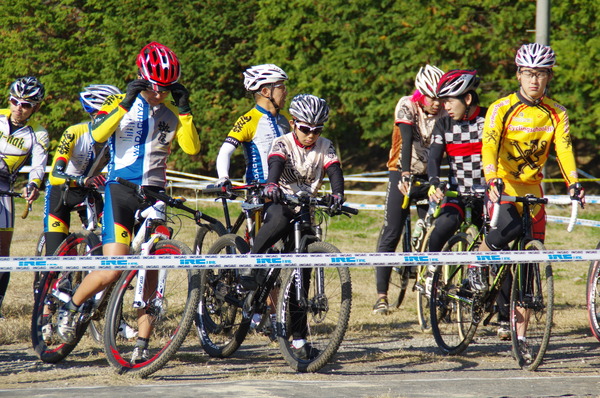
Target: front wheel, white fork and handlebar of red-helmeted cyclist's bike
column 165, row 299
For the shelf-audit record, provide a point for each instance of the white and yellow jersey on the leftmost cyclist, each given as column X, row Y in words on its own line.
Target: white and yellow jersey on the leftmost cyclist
column 29, row 141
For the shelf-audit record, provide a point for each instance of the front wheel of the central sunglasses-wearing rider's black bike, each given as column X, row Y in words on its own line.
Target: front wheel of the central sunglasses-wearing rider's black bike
column 327, row 318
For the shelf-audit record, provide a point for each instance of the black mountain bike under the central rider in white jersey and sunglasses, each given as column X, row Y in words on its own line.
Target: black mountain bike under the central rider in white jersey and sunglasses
column 318, row 299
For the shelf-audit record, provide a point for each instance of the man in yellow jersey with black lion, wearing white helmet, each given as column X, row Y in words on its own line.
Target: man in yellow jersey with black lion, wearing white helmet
column 518, row 132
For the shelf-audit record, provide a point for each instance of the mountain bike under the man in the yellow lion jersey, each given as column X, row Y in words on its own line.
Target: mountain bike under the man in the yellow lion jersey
column 459, row 308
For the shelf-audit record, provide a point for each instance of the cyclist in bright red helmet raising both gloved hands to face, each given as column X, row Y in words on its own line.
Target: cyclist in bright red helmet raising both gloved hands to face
column 139, row 127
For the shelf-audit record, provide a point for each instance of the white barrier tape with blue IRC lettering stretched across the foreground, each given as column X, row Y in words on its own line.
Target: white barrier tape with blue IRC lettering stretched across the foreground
column 77, row 263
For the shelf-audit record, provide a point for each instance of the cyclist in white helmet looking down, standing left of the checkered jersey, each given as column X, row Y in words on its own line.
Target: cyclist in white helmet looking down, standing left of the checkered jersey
column 414, row 118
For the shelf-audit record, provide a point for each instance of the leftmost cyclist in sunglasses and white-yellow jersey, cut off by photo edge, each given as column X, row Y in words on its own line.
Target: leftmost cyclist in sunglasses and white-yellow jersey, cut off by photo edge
column 21, row 139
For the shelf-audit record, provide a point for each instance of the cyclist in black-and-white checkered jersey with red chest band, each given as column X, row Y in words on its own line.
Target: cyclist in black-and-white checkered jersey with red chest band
column 458, row 135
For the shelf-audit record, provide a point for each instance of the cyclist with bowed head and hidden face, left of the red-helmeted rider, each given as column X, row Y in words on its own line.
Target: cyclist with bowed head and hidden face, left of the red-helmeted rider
column 78, row 159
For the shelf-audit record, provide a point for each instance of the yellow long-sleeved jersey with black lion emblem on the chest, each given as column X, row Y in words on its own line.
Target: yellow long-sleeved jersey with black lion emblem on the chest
column 517, row 136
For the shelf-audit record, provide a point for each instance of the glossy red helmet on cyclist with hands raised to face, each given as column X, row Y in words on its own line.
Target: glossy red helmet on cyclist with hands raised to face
column 159, row 65
